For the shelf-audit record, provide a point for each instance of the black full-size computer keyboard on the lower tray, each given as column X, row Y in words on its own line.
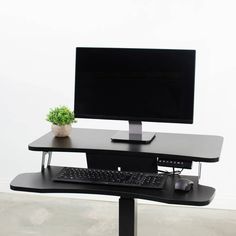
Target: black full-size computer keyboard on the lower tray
column 111, row 177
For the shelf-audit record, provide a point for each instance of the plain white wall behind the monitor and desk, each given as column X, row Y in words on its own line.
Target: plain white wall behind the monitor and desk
column 37, row 59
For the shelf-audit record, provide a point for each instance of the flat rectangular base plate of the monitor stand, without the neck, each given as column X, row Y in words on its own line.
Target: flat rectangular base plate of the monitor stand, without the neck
column 126, row 137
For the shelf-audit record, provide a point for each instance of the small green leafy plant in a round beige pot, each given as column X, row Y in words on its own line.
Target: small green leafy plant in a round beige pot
column 61, row 118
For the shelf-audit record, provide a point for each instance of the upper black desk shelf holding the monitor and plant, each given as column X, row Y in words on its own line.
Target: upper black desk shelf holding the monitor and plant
column 204, row 148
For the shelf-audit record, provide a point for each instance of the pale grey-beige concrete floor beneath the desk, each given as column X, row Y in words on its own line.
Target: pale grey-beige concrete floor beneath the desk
column 24, row 214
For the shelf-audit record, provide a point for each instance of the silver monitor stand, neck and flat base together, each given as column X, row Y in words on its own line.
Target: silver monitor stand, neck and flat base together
column 134, row 135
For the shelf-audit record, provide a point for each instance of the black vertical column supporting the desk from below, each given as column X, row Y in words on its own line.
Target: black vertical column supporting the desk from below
column 127, row 217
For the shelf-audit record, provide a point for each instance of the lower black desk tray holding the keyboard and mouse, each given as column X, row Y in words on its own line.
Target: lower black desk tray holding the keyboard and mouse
column 41, row 182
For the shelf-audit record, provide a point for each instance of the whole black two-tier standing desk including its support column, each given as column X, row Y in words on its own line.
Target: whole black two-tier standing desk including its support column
column 104, row 154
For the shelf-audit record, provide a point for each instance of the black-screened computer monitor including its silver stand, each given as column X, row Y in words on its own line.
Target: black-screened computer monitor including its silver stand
column 135, row 85
